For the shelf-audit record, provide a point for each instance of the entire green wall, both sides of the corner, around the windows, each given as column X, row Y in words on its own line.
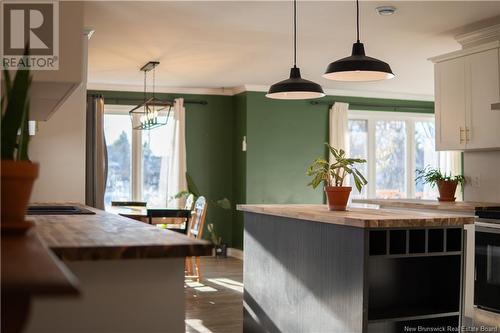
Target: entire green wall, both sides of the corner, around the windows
column 283, row 137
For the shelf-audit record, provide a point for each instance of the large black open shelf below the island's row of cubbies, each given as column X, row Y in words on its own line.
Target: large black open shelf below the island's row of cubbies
column 413, row 286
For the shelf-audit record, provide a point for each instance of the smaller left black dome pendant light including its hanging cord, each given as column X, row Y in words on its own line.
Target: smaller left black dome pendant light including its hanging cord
column 295, row 87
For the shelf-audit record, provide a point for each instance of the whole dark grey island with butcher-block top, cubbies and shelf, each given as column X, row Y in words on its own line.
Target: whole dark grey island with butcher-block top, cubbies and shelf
column 365, row 270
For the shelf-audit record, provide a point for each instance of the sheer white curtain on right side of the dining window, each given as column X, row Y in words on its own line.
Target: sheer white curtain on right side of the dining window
column 174, row 168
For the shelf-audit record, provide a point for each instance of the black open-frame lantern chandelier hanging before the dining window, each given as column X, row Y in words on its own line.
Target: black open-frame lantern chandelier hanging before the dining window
column 153, row 112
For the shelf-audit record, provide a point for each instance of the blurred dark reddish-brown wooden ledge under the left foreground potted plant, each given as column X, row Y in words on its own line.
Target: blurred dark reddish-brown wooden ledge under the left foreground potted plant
column 28, row 267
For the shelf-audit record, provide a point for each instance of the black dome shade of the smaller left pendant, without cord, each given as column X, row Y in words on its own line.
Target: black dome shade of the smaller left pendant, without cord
column 295, row 88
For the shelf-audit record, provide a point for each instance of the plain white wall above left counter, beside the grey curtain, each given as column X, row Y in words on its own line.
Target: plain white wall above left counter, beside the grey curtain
column 59, row 148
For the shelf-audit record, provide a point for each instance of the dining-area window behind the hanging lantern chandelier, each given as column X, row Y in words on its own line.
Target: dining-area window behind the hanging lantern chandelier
column 137, row 160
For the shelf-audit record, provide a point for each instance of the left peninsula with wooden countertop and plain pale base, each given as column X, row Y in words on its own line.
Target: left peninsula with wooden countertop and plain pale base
column 131, row 274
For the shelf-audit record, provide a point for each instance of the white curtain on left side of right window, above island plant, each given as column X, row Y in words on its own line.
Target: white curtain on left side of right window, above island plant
column 339, row 126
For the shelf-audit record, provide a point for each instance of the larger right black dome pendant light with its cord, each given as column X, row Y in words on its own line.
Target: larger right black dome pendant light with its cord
column 358, row 67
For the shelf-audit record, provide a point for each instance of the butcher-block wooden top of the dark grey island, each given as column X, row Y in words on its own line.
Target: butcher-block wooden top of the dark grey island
column 360, row 217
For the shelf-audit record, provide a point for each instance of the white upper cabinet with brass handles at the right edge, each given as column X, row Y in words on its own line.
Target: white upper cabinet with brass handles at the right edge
column 466, row 88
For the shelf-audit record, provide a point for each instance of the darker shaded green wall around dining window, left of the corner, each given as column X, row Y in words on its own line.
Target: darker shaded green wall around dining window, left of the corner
column 209, row 137
